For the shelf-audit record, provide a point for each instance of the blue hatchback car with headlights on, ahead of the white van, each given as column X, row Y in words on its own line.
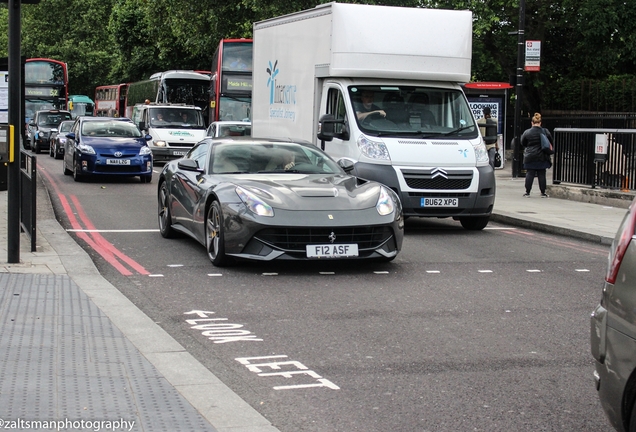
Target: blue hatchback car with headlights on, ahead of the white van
column 107, row 146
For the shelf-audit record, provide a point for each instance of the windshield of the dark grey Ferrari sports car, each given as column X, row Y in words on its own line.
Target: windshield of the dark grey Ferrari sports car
column 262, row 158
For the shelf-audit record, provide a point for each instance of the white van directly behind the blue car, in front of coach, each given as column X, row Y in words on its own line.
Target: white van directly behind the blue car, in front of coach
column 175, row 128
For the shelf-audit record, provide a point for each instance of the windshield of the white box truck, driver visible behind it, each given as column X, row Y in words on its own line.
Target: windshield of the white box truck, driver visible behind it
column 412, row 111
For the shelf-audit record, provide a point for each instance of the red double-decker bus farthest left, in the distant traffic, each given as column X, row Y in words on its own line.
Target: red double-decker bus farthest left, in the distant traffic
column 45, row 85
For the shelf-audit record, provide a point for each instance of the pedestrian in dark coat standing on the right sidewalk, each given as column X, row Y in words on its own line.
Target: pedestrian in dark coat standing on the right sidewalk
column 535, row 160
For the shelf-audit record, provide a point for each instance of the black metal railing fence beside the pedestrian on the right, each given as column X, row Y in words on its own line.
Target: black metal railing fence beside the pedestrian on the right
column 575, row 159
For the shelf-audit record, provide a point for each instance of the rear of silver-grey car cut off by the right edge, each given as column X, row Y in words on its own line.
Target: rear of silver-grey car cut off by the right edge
column 613, row 330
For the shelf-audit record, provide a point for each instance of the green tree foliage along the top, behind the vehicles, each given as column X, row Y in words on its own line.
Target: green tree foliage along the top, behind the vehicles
column 112, row 41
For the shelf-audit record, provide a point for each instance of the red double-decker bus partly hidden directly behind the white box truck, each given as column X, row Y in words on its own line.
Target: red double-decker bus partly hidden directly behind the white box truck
column 231, row 81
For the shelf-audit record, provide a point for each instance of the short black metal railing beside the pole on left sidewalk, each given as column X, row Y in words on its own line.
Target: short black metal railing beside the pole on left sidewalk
column 28, row 190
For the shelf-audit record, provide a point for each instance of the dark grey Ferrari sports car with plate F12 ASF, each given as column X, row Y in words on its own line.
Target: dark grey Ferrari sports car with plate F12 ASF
column 269, row 200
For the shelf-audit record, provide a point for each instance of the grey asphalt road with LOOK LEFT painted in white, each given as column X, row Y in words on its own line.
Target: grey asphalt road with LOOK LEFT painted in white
column 479, row 331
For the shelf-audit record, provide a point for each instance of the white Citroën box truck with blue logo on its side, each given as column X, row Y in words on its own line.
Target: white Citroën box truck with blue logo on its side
column 378, row 87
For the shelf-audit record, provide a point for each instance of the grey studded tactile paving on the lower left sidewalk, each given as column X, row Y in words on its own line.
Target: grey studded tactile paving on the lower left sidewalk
column 62, row 359
